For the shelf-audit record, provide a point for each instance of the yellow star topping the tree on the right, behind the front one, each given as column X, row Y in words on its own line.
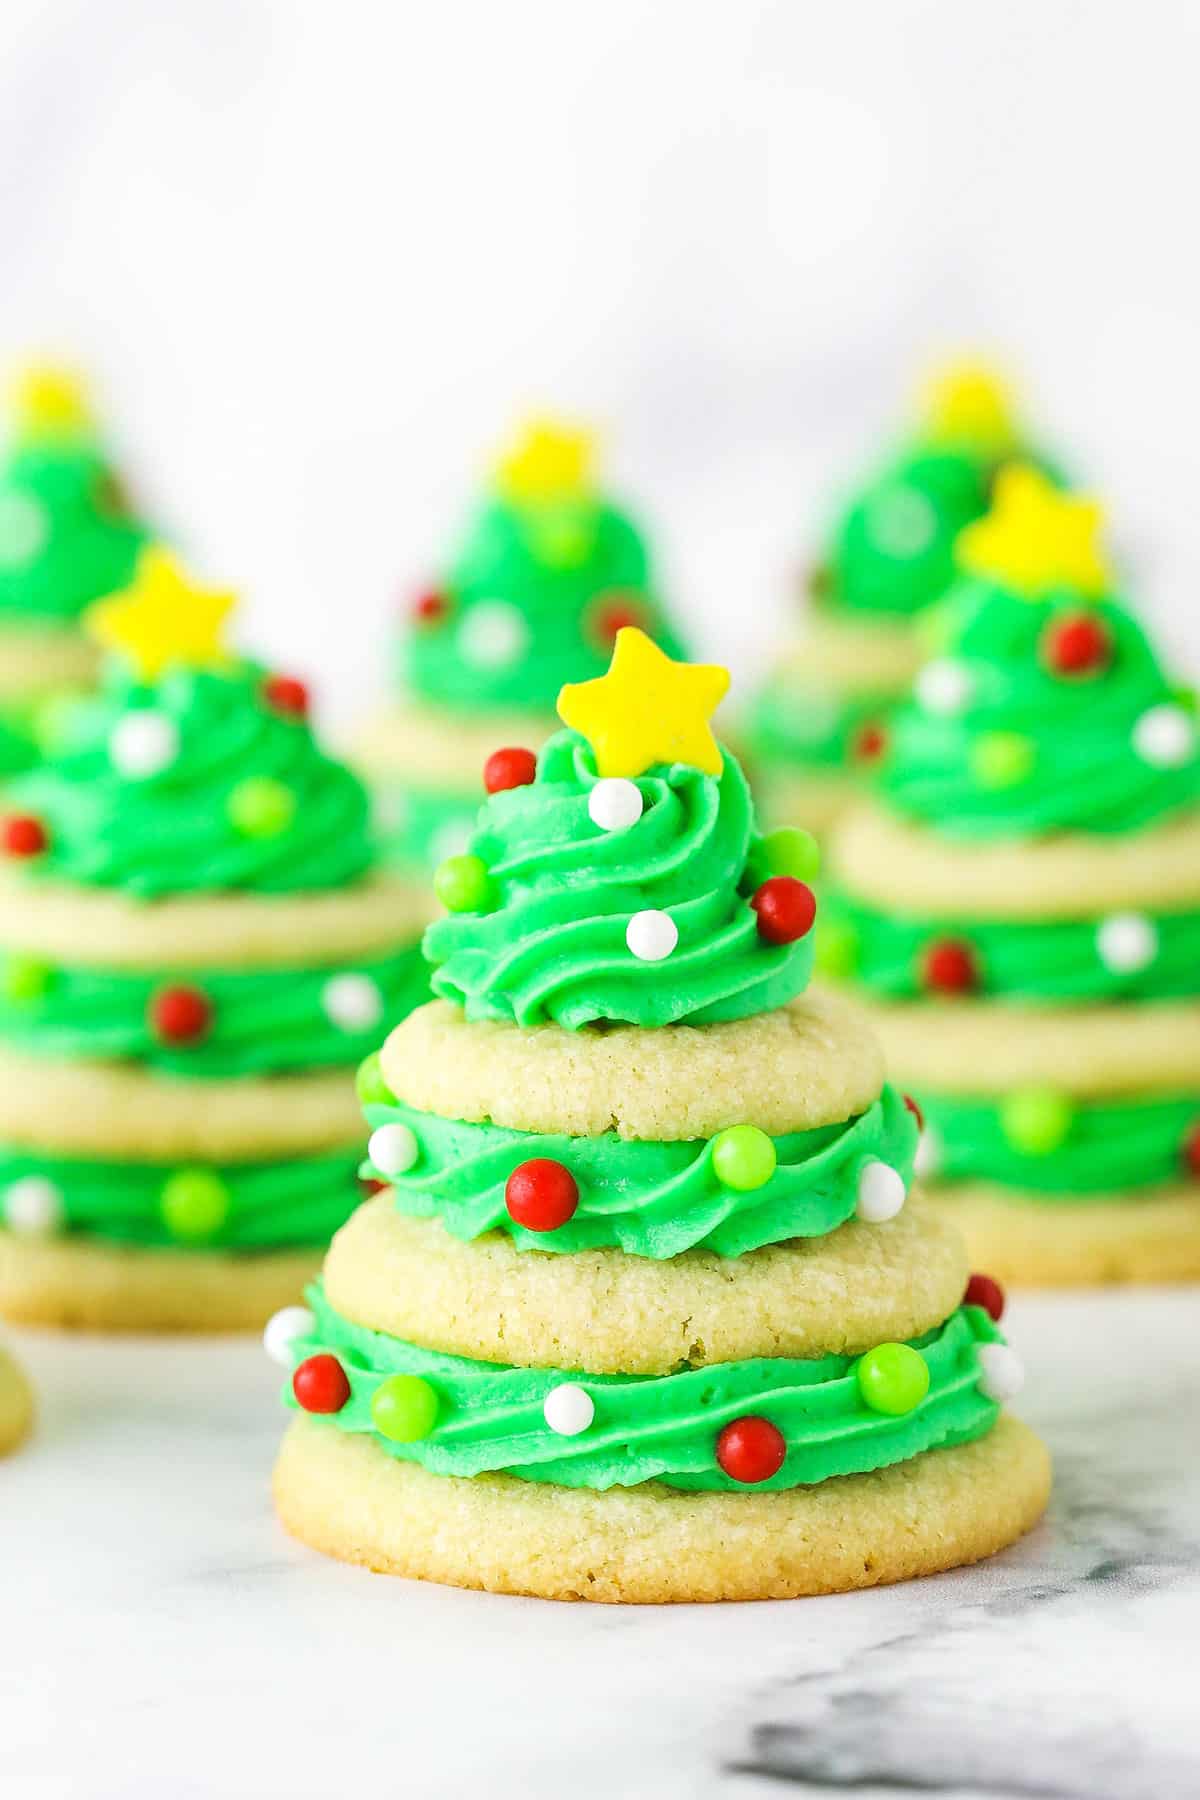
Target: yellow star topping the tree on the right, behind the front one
column 1037, row 539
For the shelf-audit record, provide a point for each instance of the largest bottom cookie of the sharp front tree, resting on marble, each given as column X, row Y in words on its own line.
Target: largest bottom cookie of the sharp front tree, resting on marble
column 346, row 1497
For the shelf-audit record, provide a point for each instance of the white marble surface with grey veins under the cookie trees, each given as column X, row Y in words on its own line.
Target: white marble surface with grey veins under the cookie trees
column 165, row 1641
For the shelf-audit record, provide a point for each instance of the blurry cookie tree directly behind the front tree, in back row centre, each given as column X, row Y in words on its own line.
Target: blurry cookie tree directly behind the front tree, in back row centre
column 546, row 575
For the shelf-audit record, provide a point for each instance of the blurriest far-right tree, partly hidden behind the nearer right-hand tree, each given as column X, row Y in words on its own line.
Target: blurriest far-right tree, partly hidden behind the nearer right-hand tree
column 821, row 723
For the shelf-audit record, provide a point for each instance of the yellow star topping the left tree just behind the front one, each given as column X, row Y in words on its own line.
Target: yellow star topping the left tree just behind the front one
column 163, row 620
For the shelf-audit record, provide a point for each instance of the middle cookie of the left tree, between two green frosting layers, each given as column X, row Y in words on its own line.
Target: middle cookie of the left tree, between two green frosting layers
column 111, row 1110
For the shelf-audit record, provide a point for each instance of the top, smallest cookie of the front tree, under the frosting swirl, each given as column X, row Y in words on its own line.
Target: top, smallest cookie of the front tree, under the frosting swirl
column 812, row 1063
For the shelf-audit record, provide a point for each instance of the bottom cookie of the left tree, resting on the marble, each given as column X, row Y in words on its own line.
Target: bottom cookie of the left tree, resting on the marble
column 125, row 1288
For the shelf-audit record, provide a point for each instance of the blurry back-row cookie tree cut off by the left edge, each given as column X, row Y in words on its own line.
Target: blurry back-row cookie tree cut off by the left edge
column 67, row 537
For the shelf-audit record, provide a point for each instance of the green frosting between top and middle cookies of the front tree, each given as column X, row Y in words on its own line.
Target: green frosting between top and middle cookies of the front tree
column 650, row 1200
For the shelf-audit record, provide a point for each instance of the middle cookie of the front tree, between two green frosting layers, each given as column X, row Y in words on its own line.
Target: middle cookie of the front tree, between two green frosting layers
column 602, row 1311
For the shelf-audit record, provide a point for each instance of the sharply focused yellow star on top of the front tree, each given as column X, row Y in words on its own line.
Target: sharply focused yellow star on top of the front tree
column 647, row 710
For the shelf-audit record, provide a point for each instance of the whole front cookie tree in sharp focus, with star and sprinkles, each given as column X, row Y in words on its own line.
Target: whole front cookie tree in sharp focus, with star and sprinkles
column 647, row 1311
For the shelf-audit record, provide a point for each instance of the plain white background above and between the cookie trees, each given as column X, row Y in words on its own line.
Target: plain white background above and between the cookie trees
column 319, row 255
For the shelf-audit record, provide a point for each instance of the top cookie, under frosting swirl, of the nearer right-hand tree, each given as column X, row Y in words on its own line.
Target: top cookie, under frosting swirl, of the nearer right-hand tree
column 899, row 867
